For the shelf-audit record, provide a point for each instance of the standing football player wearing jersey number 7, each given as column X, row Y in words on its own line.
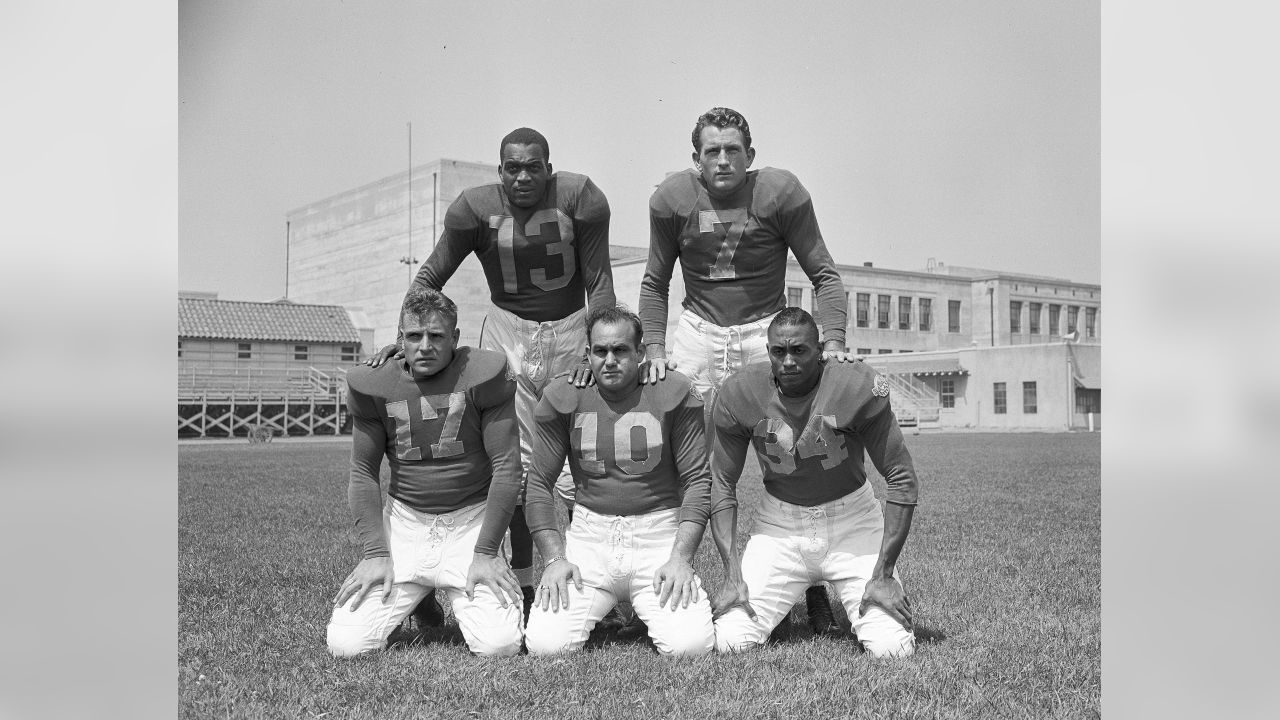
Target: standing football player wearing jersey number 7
column 732, row 230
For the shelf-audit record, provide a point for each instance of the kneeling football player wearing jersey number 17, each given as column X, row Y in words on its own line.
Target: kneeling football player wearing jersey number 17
column 445, row 418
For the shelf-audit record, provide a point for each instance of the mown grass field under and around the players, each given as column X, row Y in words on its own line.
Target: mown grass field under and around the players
column 1003, row 567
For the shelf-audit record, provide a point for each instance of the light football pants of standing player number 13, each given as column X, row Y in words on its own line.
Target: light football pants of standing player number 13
column 537, row 353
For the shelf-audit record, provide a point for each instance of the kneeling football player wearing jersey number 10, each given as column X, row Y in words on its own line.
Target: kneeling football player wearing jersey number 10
column 638, row 457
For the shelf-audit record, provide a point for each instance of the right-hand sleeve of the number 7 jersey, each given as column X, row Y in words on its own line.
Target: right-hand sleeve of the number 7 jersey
column 801, row 229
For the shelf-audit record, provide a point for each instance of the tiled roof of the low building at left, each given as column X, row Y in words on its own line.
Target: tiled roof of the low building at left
column 230, row 320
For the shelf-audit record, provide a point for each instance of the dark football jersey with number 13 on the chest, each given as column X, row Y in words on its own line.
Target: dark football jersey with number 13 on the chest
column 538, row 261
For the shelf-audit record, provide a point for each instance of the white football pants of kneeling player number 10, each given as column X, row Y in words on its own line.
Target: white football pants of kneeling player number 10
column 619, row 557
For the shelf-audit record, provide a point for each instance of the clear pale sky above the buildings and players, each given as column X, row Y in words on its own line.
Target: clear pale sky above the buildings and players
column 963, row 133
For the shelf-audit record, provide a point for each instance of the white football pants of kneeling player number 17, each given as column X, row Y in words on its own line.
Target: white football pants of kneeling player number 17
column 428, row 553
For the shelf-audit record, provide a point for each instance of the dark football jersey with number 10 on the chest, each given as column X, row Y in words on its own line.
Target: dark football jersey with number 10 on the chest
column 638, row 455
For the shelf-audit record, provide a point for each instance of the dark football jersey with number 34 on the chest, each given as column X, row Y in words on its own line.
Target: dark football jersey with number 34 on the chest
column 811, row 449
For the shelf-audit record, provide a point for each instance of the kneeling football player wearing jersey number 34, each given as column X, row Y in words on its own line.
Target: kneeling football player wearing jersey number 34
column 811, row 422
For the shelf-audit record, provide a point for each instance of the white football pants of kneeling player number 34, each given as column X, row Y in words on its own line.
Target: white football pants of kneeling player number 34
column 793, row 548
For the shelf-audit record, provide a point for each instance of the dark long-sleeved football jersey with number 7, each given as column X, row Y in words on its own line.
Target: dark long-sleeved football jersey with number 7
column 734, row 253
